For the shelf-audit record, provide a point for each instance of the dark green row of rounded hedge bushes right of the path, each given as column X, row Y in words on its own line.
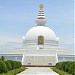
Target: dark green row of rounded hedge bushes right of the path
column 68, row 66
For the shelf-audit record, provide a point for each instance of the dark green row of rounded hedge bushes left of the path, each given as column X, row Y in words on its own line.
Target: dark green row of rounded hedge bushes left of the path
column 8, row 65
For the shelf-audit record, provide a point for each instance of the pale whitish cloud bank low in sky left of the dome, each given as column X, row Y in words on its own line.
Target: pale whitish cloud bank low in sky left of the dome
column 9, row 42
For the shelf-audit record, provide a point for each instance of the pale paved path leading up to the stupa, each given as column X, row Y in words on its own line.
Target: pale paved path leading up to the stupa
column 38, row 71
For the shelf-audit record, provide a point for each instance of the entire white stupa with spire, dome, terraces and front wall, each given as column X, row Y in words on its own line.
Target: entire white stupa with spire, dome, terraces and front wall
column 40, row 44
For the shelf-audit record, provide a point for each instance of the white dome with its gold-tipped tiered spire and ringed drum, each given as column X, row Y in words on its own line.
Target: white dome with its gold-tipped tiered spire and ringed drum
column 40, row 35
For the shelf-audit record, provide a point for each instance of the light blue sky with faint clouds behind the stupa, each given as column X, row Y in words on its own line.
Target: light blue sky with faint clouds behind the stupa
column 18, row 16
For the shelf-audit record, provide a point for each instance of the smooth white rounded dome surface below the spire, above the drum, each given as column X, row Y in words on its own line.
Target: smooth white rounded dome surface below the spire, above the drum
column 44, row 31
